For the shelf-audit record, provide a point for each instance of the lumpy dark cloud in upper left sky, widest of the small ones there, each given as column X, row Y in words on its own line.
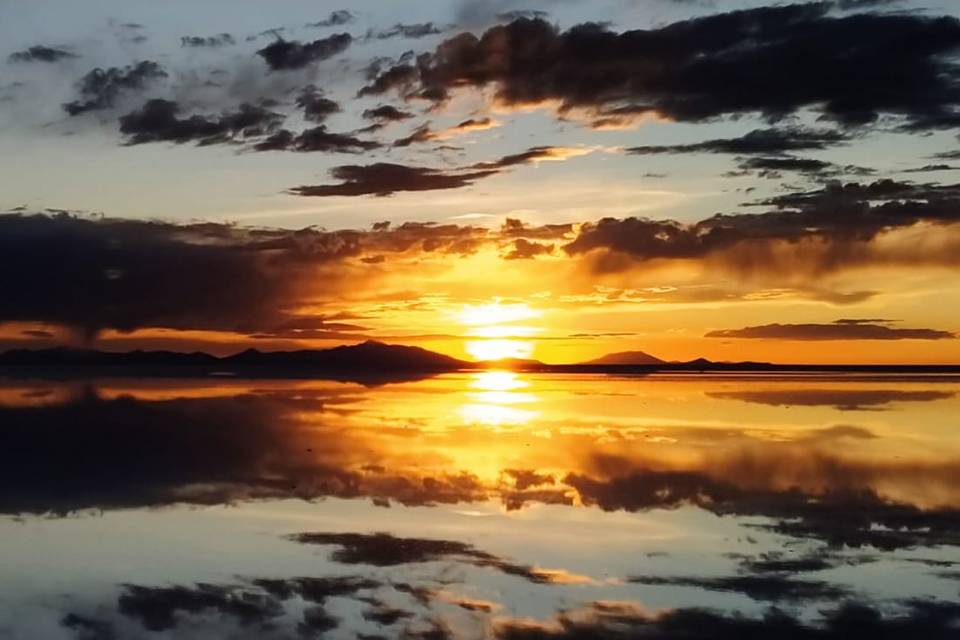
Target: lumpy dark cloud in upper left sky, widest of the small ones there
column 158, row 121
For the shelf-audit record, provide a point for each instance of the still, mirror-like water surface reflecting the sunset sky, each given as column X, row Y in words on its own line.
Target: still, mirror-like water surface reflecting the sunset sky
column 483, row 505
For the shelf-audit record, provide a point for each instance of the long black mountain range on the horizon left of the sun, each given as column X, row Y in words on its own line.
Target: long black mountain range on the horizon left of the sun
column 370, row 356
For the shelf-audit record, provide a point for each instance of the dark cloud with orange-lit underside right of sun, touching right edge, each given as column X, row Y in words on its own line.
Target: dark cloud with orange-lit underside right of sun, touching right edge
column 836, row 223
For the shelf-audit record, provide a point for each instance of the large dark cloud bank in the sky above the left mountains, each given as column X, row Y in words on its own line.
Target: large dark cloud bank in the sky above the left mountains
column 104, row 266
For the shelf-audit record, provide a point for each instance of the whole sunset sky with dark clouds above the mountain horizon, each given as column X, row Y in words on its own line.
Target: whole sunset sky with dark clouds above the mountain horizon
column 555, row 180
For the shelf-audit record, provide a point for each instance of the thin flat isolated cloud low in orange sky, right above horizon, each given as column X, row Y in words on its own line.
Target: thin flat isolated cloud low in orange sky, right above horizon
column 838, row 330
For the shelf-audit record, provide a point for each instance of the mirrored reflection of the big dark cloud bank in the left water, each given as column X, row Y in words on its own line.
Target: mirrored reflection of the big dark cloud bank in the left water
column 217, row 450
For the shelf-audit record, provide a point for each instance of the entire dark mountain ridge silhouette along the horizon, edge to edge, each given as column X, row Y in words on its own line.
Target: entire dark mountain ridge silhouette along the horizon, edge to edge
column 373, row 361
